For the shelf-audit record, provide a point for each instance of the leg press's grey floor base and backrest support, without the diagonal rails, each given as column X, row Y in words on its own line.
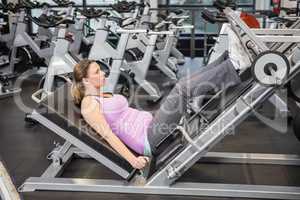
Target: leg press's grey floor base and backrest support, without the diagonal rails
column 61, row 156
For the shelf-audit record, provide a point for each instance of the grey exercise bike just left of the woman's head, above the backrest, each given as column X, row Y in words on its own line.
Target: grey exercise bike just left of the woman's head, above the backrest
column 61, row 62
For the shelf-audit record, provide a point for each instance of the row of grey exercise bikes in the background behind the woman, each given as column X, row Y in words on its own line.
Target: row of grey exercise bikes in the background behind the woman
column 125, row 41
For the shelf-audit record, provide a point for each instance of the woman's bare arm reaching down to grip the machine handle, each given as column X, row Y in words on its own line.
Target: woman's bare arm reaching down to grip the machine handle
column 92, row 113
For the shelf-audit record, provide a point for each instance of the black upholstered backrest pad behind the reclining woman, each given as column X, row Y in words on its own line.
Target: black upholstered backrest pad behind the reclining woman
column 60, row 109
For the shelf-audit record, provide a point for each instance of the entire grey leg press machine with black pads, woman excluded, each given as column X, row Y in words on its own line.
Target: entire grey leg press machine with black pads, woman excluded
column 180, row 150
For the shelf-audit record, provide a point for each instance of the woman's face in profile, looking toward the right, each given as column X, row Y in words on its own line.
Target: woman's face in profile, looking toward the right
column 96, row 76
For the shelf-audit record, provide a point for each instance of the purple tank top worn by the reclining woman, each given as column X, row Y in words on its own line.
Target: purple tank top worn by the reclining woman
column 129, row 124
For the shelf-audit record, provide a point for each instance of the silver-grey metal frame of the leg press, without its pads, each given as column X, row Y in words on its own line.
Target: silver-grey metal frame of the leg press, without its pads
column 165, row 180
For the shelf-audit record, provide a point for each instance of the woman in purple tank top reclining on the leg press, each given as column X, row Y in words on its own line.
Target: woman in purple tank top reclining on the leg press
column 122, row 126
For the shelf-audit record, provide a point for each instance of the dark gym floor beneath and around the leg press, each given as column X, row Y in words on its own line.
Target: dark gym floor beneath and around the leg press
column 24, row 149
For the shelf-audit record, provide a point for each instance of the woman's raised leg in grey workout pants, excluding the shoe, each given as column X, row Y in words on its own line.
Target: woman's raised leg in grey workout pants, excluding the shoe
column 175, row 104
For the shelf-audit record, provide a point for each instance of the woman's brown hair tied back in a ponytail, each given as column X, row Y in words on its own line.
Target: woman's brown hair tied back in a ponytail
column 80, row 71
